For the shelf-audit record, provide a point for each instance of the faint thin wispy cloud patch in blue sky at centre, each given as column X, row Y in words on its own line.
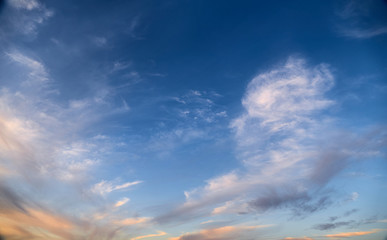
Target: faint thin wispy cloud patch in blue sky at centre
column 189, row 117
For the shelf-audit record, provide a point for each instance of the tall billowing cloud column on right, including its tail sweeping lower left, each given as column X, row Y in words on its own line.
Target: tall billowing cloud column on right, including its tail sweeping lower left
column 279, row 108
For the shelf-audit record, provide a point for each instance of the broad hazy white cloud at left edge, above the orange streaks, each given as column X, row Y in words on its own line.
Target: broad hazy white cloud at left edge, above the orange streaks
column 44, row 138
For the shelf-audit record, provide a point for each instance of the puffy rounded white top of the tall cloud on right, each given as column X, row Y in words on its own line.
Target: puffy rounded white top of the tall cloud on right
column 285, row 97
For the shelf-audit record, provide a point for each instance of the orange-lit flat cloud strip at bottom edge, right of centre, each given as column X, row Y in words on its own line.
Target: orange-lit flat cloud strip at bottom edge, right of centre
column 224, row 233
